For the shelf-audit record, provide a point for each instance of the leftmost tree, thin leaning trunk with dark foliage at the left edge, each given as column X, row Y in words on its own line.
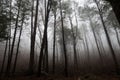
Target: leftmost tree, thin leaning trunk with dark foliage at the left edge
column 4, row 28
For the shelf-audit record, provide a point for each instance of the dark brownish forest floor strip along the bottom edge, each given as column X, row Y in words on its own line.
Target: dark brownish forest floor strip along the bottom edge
column 85, row 77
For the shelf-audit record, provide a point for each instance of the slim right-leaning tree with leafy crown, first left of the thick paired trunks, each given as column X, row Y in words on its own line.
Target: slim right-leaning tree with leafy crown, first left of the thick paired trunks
column 24, row 13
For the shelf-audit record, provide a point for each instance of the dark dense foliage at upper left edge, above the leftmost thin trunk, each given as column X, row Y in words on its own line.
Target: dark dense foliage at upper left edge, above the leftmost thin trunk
column 4, row 20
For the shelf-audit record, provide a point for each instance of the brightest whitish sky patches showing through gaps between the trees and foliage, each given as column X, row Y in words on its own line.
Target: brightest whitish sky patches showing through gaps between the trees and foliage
column 25, row 39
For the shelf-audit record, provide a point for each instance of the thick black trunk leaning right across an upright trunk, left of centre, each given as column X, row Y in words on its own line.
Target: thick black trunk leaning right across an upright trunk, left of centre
column 44, row 40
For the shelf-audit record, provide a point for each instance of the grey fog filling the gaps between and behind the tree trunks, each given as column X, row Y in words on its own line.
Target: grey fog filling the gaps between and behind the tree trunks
column 81, row 18
